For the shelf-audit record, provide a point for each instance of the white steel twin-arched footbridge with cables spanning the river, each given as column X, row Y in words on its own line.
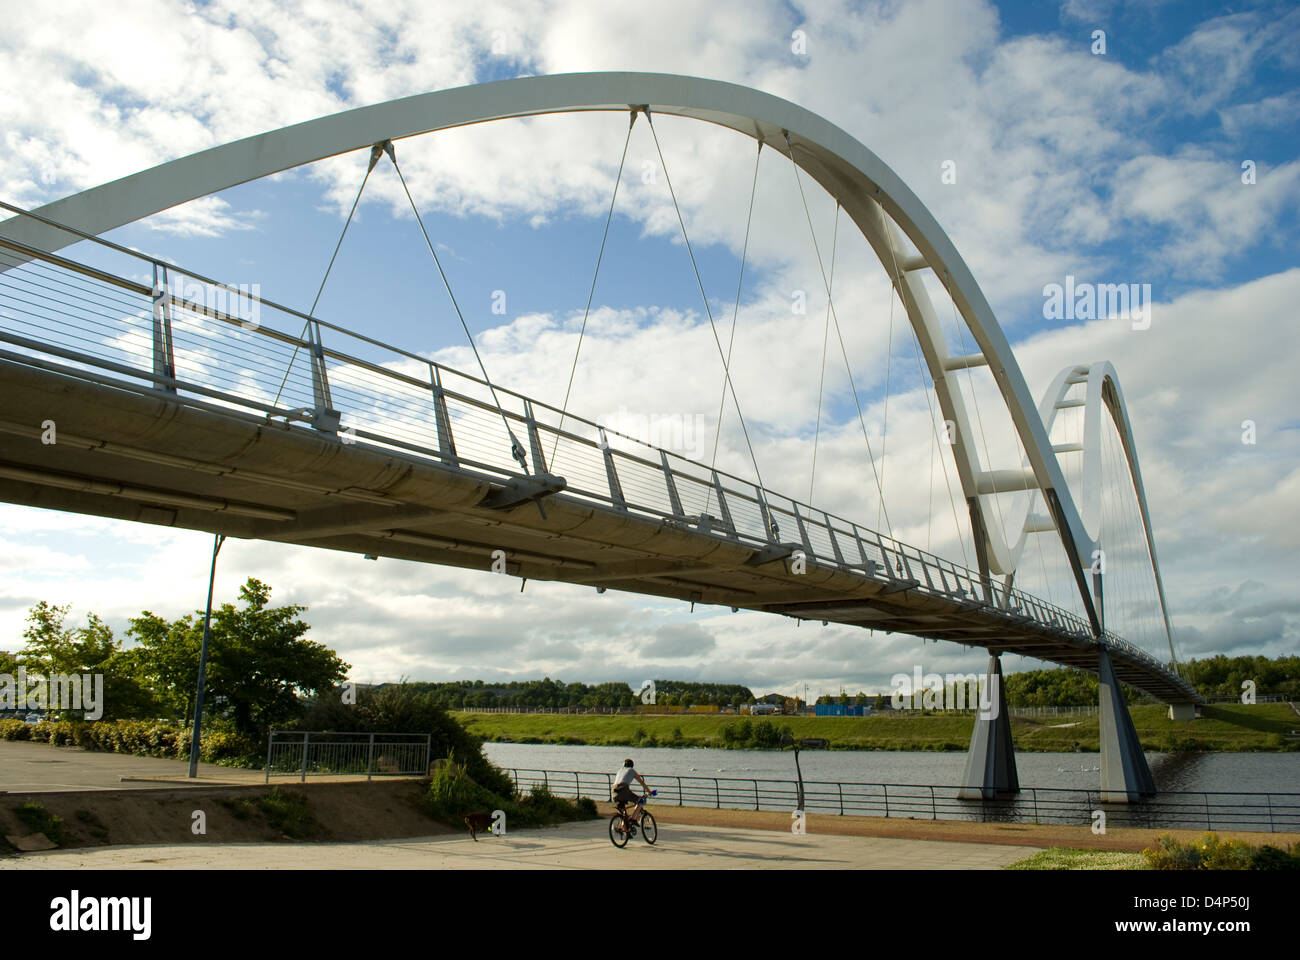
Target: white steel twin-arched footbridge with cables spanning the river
column 889, row 586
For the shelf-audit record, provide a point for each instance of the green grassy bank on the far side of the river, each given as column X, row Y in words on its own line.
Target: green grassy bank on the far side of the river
column 1229, row 728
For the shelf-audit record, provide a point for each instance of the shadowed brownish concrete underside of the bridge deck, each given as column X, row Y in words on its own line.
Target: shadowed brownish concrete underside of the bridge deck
column 144, row 456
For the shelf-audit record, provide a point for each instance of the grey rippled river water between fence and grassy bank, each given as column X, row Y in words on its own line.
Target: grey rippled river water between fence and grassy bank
column 1272, row 773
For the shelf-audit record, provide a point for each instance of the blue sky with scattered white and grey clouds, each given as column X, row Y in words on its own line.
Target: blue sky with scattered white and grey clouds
column 1163, row 152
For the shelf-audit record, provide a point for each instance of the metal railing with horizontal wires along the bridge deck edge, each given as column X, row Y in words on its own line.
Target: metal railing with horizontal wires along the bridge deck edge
column 206, row 343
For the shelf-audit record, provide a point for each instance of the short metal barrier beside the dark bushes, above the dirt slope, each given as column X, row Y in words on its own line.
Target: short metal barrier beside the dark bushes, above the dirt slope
column 326, row 754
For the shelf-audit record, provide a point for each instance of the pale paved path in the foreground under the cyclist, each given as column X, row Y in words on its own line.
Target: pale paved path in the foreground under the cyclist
column 573, row 846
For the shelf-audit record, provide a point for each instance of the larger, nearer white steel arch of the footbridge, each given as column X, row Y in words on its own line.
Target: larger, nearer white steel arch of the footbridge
column 873, row 196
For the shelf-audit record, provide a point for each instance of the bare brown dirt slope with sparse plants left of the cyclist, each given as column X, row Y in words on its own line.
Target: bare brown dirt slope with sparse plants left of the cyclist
column 375, row 811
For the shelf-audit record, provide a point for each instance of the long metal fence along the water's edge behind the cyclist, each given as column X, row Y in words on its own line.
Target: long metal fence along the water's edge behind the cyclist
column 1176, row 810
